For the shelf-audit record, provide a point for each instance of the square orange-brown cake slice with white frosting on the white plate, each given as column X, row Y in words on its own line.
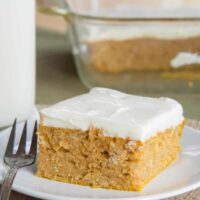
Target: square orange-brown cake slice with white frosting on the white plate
column 109, row 139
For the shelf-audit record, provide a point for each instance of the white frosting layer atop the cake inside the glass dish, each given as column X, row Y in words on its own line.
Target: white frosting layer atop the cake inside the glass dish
column 156, row 30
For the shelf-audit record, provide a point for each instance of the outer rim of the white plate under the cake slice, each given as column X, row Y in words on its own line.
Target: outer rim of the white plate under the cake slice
column 45, row 196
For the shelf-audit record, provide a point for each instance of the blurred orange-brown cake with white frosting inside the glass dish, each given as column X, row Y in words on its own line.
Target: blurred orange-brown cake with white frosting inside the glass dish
column 153, row 47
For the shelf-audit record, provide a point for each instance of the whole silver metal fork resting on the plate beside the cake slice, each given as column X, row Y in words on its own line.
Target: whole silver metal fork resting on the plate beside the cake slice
column 19, row 159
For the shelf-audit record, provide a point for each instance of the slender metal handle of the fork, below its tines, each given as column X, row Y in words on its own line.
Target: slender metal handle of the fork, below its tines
column 7, row 183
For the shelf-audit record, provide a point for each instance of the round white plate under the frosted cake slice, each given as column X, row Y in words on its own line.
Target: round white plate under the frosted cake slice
column 182, row 176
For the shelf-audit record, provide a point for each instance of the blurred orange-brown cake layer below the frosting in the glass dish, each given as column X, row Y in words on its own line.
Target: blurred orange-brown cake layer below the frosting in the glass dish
column 142, row 54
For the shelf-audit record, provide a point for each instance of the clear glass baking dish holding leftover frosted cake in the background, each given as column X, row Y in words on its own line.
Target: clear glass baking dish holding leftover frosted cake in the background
column 134, row 45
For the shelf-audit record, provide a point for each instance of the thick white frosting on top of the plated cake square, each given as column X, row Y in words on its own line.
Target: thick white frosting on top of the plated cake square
column 117, row 113
